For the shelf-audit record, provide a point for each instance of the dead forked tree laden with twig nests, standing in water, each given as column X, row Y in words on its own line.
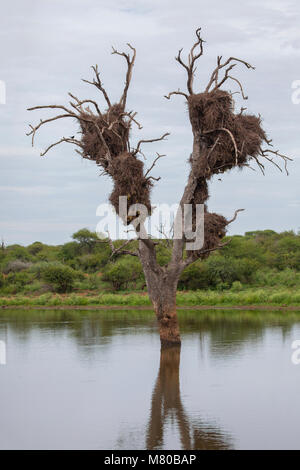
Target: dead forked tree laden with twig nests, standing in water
column 222, row 139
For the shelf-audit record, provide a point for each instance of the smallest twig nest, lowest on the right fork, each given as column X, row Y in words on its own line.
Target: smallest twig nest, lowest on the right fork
column 214, row 231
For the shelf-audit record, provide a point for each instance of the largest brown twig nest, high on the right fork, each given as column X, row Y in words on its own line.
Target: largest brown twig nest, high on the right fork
column 228, row 139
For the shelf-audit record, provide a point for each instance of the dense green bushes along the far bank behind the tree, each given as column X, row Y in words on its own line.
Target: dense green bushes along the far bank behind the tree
column 260, row 259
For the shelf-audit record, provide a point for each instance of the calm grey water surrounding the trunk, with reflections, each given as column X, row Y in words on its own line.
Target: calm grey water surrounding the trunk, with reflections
column 97, row 380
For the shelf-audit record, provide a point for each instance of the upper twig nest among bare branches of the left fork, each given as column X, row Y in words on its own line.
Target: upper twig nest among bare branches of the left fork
column 115, row 138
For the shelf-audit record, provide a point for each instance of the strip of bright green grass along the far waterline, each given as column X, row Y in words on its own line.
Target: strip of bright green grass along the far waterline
column 266, row 296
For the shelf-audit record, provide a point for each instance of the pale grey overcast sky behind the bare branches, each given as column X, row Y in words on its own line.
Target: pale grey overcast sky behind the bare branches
column 49, row 46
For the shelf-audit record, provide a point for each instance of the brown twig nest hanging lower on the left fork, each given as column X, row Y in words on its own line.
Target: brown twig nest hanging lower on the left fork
column 129, row 181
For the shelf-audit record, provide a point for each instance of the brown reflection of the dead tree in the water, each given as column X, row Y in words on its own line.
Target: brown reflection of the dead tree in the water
column 167, row 406
